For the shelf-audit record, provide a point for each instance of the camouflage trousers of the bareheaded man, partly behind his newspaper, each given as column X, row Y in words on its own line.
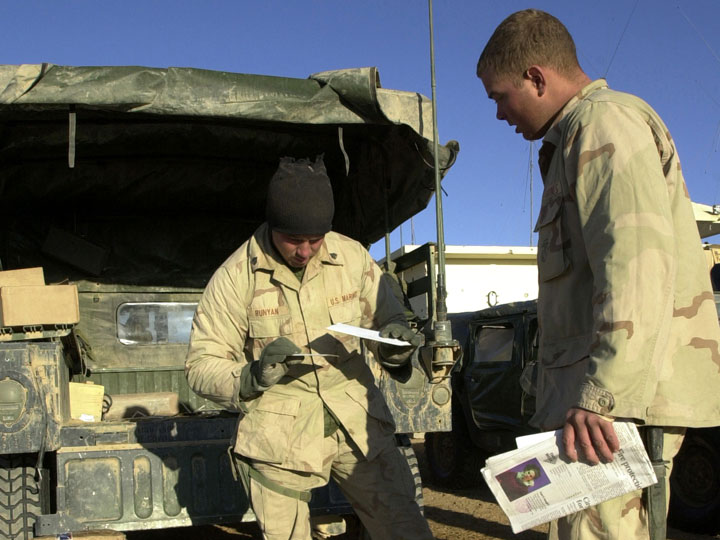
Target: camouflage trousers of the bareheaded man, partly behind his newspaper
column 622, row 518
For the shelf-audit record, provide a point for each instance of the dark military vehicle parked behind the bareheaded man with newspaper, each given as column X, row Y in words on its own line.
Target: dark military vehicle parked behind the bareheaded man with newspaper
column 493, row 399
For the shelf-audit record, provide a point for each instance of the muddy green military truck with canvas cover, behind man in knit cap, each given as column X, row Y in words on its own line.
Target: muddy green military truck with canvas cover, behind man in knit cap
column 130, row 185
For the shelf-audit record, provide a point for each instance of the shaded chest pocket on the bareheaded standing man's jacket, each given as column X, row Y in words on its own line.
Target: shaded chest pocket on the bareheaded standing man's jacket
column 552, row 258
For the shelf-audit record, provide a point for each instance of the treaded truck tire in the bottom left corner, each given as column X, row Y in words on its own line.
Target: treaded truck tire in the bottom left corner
column 20, row 497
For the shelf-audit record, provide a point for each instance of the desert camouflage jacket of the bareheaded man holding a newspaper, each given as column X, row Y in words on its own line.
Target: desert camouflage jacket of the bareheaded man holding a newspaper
column 627, row 316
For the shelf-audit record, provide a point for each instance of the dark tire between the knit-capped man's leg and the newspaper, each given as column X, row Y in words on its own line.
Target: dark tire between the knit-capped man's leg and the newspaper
column 453, row 460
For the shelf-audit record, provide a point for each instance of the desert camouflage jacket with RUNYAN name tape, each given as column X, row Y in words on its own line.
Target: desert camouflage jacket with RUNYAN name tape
column 251, row 300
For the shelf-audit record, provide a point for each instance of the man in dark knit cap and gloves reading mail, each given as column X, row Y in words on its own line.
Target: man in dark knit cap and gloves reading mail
column 306, row 418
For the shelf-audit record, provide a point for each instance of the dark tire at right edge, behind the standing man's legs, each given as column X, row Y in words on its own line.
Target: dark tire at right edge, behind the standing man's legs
column 695, row 483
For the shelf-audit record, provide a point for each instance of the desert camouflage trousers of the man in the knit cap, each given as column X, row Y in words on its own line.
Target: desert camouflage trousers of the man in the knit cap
column 381, row 491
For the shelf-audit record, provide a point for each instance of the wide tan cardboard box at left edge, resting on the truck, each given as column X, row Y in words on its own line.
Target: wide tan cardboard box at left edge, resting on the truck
column 39, row 305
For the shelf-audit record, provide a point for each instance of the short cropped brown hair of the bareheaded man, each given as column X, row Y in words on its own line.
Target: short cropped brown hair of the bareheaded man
column 525, row 38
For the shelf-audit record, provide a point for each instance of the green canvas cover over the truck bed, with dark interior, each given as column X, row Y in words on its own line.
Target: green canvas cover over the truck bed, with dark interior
column 171, row 165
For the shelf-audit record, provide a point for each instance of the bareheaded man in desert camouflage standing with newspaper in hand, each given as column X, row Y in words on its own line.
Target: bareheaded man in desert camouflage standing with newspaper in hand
column 628, row 322
